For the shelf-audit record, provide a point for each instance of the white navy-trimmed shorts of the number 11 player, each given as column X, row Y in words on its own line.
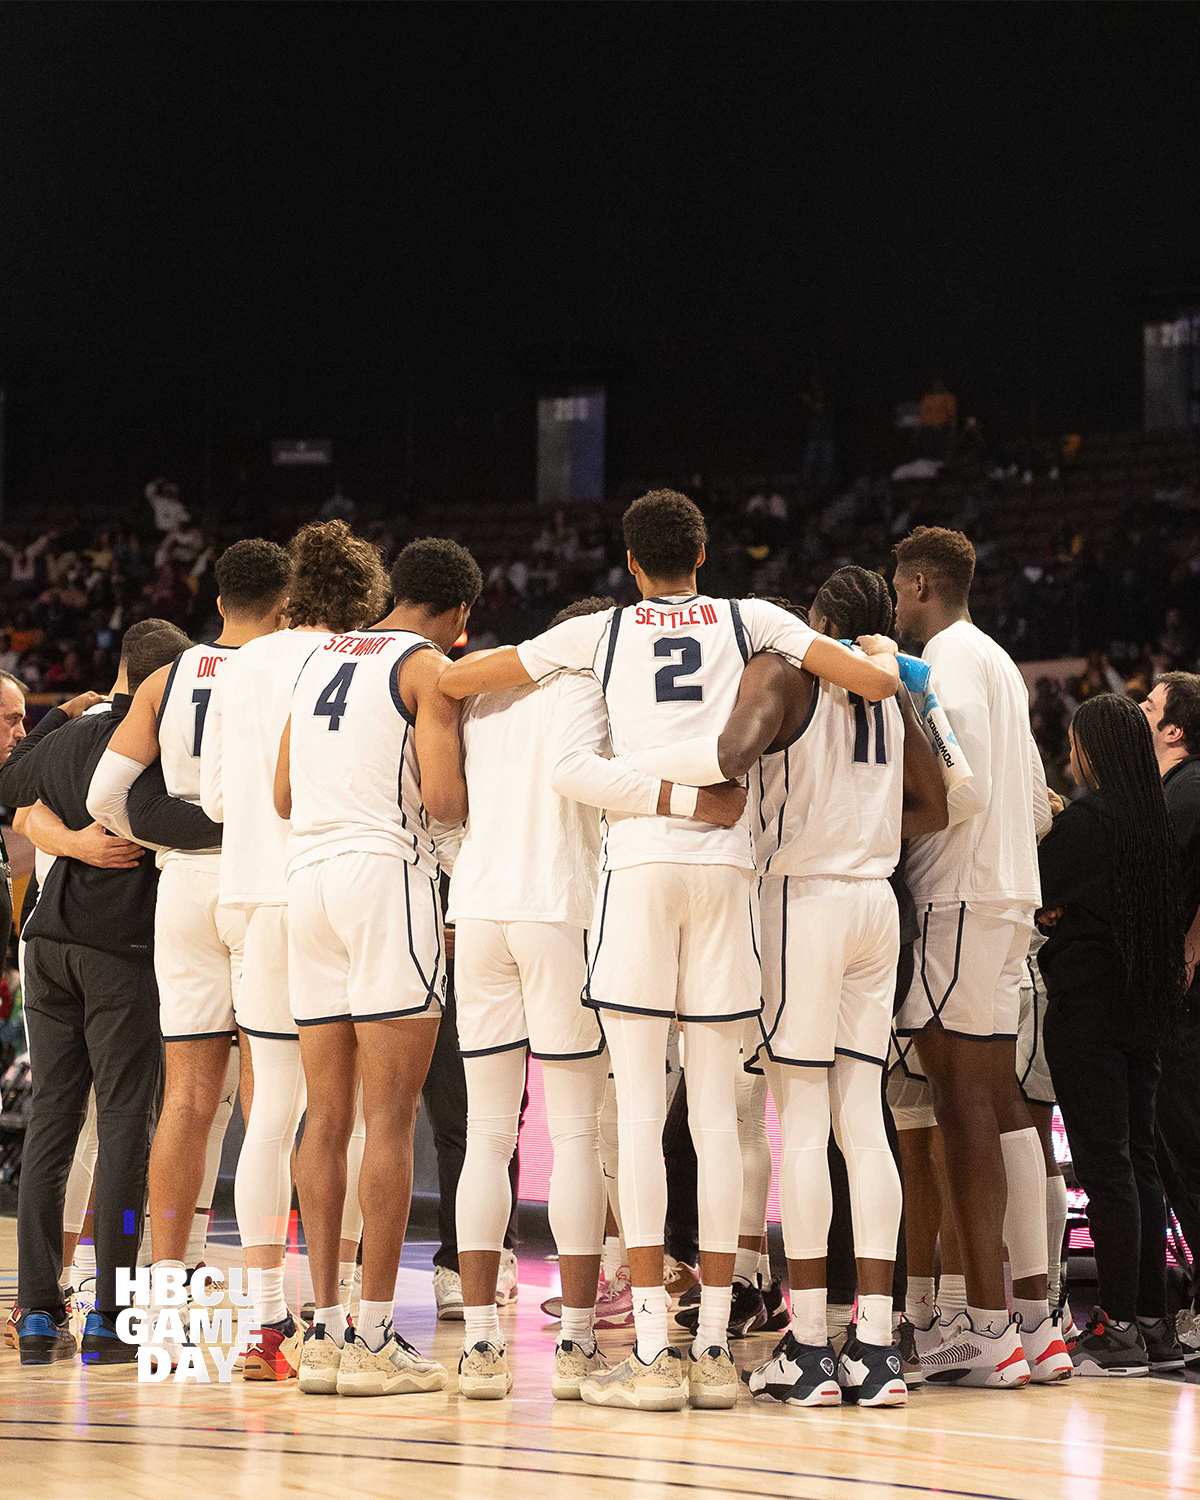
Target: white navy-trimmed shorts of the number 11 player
column 830, row 947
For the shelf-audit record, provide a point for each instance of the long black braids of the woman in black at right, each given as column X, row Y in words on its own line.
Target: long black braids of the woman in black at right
column 1144, row 856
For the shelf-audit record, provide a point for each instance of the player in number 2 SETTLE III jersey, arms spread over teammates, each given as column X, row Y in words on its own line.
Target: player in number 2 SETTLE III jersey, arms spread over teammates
column 674, row 928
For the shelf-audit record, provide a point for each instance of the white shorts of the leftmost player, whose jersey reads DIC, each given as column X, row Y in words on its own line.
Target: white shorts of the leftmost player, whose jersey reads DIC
column 197, row 955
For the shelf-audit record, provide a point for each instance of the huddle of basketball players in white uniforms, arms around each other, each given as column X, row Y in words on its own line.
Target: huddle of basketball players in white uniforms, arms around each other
column 689, row 814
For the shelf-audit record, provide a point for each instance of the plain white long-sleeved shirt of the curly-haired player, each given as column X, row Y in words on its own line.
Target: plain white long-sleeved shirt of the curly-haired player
column 247, row 719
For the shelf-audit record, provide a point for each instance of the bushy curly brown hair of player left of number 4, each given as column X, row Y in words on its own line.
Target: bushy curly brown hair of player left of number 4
column 338, row 580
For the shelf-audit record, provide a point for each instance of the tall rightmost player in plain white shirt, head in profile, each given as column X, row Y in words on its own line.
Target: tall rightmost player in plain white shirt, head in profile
column 977, row 887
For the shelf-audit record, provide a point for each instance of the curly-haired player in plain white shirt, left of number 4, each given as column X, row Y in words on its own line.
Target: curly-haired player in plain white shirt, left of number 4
column 337, row 584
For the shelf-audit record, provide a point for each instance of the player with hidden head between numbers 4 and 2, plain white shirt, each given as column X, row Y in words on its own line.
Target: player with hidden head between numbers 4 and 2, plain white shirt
column 521, row 964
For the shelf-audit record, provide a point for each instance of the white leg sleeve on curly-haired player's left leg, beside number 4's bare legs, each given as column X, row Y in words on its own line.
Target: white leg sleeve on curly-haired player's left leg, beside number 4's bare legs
column 263, row 1181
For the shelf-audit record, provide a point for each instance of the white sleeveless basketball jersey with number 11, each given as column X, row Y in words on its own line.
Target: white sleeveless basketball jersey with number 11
column 830, row 802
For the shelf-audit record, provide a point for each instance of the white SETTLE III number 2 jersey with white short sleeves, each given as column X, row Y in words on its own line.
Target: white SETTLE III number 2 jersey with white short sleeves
column 670, row 670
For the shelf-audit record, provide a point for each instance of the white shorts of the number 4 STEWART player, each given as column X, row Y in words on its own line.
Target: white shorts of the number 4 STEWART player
column 365, row 941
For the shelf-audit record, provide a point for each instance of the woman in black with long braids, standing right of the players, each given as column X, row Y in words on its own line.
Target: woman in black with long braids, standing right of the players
column 1115, row 977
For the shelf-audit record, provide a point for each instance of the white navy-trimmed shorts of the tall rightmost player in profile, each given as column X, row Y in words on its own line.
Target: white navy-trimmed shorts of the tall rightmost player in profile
column 967, row 974
